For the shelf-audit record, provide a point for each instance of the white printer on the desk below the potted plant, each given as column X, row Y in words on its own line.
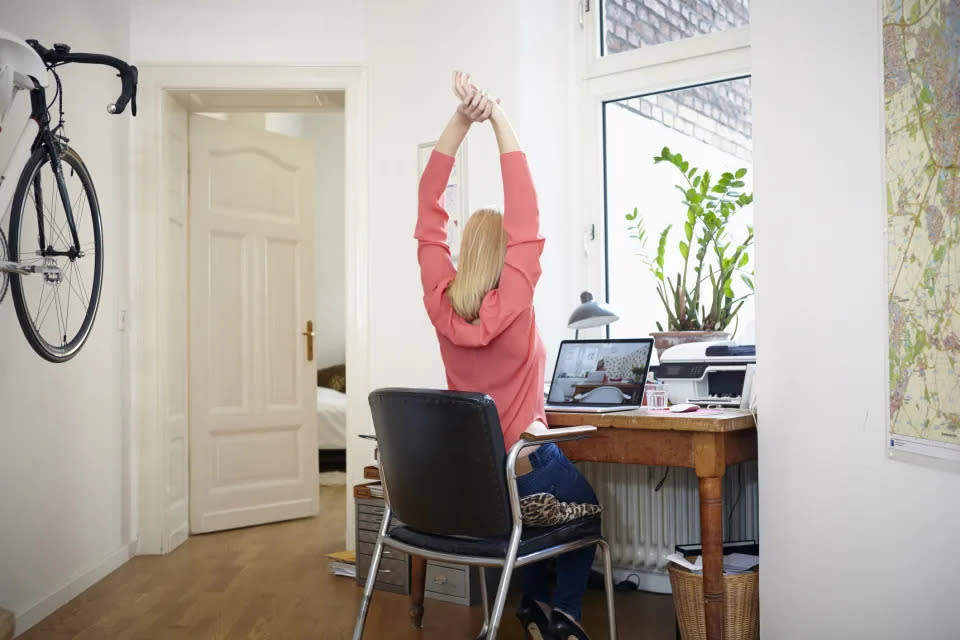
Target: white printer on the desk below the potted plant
column 706, row 373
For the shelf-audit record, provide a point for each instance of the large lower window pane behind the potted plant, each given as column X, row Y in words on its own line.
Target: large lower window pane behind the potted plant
column 711, row 126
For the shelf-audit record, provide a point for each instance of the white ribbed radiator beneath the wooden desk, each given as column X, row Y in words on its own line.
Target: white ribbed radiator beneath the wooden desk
column 642, row 526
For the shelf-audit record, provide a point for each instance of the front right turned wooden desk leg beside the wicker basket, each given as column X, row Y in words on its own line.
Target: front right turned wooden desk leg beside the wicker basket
column 711, row 533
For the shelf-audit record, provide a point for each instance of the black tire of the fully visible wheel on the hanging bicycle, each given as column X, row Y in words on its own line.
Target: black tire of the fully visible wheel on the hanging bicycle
column 42, row 347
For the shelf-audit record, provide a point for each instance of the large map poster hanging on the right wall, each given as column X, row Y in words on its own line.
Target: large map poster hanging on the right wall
column 921, row 83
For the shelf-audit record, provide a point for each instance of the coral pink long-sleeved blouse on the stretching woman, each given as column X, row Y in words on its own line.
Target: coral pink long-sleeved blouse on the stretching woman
column 502, row 354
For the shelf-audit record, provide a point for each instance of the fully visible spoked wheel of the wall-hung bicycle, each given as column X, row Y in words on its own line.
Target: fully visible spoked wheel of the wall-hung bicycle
column 56, row 307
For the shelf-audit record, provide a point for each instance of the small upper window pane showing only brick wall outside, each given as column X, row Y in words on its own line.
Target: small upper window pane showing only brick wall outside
column 632, row 24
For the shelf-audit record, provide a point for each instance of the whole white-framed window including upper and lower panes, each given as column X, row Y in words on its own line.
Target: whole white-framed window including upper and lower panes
column 680, row 79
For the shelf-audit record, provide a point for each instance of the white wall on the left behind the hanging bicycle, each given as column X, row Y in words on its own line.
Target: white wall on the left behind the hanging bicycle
column 65, row 482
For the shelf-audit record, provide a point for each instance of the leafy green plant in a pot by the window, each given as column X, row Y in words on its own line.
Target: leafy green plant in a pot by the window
column 700, row 301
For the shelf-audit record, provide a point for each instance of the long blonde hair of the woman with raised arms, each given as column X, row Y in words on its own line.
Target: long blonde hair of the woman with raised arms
column 482, row 249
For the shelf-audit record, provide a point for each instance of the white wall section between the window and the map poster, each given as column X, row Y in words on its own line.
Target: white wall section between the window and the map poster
column 854, row 545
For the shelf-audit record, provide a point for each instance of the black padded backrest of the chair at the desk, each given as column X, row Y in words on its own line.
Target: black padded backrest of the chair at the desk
column 443, row 461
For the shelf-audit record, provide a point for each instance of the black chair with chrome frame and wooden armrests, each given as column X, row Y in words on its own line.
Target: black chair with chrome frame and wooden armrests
column 447, row 478
